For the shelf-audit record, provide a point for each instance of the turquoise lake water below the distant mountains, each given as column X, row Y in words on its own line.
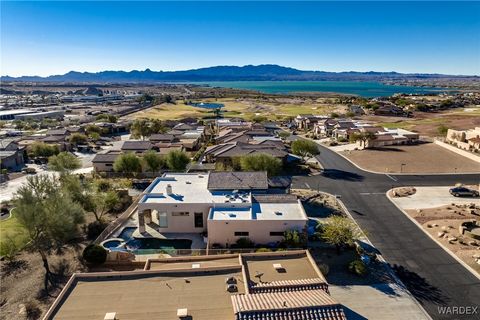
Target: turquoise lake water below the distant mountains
column 364, row 89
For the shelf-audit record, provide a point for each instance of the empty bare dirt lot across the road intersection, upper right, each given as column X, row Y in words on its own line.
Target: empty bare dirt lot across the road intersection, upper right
column 423, row 158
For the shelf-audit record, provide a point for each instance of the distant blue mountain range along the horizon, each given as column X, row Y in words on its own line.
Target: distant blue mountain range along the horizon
column 227, row 73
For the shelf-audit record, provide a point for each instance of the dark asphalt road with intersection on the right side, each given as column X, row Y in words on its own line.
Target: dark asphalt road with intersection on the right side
column 431, row 274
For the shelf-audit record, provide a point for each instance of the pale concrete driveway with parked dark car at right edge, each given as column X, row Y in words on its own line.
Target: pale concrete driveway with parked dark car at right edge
column 432, row 197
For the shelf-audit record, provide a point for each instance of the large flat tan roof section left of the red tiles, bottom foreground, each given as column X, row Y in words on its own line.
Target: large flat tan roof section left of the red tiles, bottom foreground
column 147, row 297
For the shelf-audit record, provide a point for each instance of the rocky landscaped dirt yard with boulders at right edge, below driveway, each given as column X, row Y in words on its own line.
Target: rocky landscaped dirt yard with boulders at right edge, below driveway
column 443, row 224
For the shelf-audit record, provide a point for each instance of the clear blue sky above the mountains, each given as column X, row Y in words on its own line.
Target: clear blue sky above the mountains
column 43, row 38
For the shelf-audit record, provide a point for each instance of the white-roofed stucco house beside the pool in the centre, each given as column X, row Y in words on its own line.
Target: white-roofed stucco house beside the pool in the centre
column 225, row 205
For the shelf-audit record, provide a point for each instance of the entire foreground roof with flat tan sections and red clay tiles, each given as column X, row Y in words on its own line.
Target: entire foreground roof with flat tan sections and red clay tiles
column 172, row 284
